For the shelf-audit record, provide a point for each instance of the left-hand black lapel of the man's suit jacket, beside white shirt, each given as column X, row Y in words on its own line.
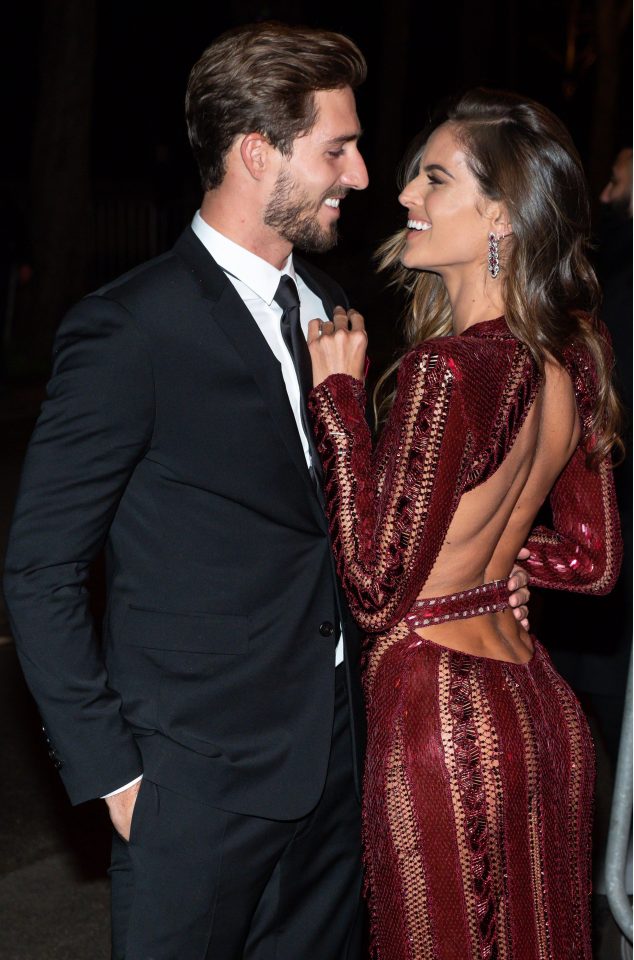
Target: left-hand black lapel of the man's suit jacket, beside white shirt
column 230, row 314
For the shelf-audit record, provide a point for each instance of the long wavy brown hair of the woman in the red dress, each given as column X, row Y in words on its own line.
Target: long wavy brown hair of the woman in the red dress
column 521, row 154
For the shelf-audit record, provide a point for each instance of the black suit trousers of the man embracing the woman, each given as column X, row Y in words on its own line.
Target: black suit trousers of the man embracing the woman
column 197, row 883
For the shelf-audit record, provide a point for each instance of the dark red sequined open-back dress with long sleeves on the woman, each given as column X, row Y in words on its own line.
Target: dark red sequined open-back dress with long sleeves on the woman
column 479, row 772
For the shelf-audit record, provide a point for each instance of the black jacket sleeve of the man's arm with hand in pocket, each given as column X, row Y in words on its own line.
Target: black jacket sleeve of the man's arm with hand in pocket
column 95, row 425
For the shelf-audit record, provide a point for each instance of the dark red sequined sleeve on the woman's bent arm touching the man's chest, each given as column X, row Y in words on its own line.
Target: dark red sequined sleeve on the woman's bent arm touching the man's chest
column 389, row 511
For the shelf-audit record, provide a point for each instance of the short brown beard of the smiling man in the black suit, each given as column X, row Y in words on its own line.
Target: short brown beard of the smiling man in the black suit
column 293, row 215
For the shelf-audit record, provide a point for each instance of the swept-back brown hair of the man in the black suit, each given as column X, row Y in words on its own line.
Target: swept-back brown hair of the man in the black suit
column 262, row 78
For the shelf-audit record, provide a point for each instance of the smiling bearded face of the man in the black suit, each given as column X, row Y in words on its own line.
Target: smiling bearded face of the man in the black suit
column 324, row 166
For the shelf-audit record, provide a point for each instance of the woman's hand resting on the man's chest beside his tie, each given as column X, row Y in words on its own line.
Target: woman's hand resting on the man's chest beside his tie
column 338, row 347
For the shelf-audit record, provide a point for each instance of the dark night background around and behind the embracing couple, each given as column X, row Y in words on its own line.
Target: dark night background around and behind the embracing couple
column 96, row 176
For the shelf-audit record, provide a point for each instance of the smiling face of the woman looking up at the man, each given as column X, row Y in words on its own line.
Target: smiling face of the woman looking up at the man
column 447, row 227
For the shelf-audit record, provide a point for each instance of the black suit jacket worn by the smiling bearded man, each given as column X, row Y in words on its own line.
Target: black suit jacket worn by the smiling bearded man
column 168, row 438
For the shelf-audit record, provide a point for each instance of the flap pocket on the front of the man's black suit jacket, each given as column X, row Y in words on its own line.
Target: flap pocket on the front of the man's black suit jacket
column 218, row 633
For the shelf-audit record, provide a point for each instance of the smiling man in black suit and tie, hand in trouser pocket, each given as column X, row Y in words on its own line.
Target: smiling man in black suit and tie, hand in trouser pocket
column 174, row 434
